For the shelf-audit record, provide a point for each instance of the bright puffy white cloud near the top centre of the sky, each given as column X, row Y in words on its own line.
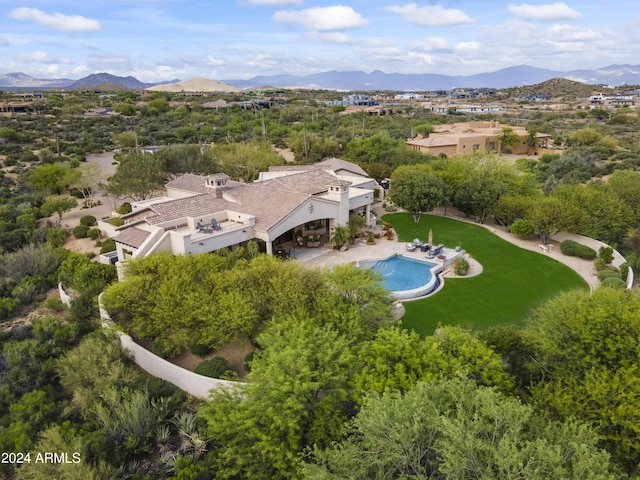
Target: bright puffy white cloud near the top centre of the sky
column 338, row 17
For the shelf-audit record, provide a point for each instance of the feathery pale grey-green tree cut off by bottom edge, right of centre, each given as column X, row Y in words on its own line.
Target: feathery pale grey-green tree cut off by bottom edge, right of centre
column 453, row 429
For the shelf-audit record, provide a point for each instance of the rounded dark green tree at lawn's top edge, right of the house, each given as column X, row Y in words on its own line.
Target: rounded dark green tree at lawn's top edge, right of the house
column 417, row 189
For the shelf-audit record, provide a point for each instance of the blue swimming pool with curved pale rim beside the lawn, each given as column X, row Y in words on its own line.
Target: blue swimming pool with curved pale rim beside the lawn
column 406, row 277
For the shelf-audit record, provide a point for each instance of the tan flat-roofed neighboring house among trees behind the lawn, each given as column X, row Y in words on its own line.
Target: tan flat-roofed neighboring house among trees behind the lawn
column 458, row 138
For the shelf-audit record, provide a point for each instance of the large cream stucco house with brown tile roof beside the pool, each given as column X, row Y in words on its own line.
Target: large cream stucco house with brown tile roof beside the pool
column 282, row 201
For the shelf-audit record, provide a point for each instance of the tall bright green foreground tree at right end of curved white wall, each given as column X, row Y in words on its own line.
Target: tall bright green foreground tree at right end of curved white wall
column 299, row 384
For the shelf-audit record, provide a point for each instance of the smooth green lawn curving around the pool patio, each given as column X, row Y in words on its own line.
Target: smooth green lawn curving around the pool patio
column 514, row 281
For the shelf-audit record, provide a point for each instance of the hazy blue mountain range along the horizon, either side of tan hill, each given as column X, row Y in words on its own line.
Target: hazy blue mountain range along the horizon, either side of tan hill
column 613, row 75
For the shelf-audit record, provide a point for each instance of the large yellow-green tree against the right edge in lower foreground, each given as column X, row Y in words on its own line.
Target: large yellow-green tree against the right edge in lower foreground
column 586, row 346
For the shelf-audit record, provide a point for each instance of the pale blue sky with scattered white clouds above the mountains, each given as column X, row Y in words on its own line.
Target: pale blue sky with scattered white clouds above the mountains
column 159, row 40
